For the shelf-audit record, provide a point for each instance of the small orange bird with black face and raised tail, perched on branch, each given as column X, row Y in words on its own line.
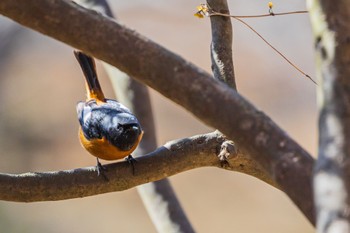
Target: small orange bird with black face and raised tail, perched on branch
column 108, row 129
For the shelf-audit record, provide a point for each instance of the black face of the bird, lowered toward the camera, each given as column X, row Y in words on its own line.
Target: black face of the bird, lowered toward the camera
column 124, row 136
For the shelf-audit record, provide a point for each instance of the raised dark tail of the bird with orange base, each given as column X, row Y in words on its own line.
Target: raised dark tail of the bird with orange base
column 88, row 66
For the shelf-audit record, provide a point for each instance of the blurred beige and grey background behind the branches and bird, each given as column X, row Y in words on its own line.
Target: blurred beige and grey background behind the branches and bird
column 40, row 83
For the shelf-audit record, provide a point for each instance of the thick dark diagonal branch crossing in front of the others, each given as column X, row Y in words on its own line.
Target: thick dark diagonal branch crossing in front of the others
column 214, row 103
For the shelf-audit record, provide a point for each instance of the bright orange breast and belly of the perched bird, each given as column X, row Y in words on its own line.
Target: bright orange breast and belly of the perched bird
column 103, row 149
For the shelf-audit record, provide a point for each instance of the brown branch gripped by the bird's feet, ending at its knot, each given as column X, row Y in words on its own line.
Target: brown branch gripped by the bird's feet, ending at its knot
column 172, row 158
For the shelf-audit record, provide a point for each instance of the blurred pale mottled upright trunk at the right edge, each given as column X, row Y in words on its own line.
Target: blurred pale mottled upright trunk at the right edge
column 330, row 21
